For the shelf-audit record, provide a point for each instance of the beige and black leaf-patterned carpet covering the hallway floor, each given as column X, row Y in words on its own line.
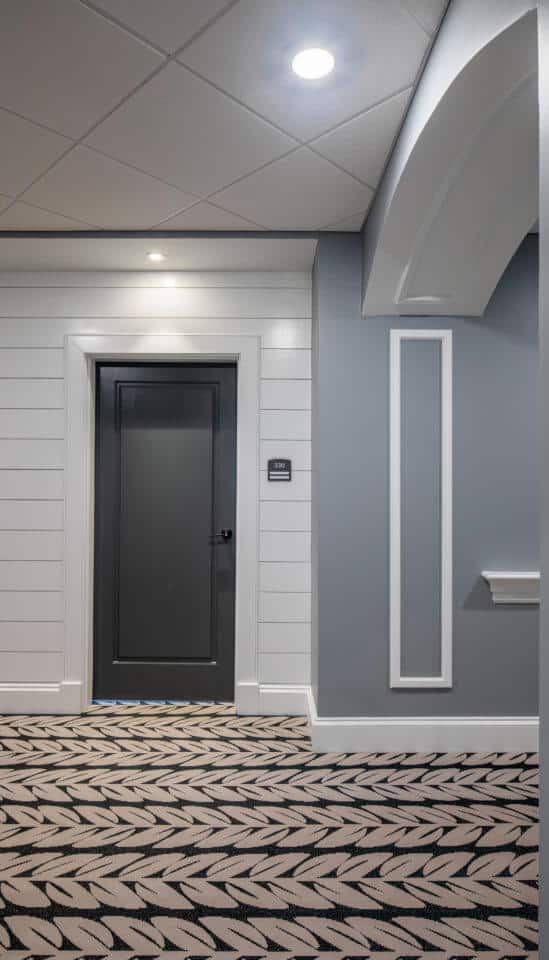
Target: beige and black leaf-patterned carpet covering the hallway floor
column 173, row 830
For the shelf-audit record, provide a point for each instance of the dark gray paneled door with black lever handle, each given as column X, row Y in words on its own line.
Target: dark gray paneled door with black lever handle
column 164, row 540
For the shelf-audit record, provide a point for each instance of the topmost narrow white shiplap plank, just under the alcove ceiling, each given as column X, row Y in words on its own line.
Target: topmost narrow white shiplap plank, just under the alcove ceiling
column 266, row 280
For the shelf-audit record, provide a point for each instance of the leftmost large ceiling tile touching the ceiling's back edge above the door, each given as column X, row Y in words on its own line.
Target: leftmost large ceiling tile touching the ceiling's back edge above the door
column 103, row 192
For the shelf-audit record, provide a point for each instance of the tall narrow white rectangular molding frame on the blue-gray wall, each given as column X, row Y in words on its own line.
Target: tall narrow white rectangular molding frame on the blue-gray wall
column 446, row 575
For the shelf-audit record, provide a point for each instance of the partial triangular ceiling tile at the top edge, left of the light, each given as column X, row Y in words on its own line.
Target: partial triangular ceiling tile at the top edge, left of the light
column 166, row 23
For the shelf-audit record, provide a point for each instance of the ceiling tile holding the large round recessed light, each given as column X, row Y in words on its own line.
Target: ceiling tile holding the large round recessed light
column 377, row 44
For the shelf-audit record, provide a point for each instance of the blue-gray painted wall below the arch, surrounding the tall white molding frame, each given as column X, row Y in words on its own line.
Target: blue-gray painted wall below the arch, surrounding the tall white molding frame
column 496, row 463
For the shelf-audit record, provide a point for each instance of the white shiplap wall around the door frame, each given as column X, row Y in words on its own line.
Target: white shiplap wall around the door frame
column 36, row 311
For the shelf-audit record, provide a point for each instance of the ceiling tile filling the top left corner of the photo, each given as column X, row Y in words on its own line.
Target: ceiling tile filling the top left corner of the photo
column 65, row 66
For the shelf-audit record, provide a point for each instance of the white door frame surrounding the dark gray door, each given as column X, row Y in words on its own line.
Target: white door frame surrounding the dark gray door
column 81, row 352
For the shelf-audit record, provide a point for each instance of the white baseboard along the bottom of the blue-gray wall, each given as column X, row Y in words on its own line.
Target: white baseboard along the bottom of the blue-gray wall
column 421, row 734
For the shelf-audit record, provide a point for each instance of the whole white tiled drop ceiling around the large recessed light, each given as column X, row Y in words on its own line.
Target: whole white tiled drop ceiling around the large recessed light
column 185, row 114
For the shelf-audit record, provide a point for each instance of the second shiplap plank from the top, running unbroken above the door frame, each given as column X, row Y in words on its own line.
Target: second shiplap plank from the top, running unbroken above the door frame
column 157, row 302
